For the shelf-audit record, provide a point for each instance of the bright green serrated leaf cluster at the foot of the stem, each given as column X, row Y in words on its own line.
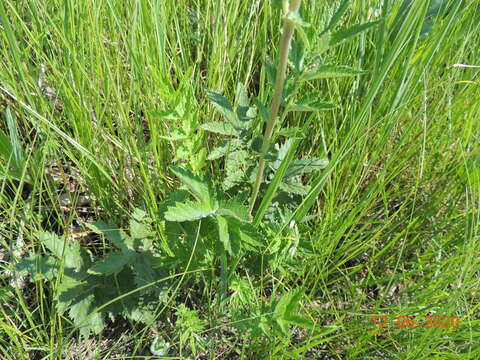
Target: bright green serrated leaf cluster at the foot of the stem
column 234, row 233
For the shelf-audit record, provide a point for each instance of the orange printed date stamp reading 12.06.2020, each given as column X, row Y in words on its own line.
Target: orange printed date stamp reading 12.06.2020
column 409, row 322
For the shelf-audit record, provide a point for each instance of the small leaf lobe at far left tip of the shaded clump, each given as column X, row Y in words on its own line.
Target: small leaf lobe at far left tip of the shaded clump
column 38, row 267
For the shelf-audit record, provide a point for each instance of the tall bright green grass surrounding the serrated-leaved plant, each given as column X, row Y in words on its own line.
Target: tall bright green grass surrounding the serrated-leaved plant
column 391, row 226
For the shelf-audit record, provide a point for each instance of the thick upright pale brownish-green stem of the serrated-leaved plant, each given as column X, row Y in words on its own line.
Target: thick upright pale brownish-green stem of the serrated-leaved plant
column 287, row 33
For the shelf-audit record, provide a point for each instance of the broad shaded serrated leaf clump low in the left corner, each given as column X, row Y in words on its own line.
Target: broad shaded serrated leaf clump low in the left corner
column 123, row 282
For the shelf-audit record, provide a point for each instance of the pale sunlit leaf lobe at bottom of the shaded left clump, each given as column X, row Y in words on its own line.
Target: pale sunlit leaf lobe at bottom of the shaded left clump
column 83, row 318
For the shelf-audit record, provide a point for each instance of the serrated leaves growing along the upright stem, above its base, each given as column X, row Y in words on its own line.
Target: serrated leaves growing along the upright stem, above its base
column 243, row 147
